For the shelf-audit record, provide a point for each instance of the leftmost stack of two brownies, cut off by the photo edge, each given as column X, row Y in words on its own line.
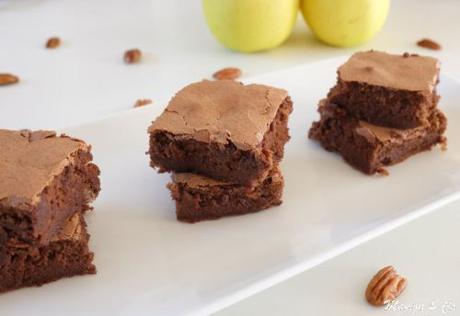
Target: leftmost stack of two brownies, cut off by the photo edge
column 46, row 185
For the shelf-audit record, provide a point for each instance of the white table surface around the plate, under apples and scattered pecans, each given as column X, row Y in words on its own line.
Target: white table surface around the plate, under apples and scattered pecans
column 86, row 79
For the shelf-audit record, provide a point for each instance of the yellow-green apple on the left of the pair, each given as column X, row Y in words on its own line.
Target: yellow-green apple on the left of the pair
column 251, row 25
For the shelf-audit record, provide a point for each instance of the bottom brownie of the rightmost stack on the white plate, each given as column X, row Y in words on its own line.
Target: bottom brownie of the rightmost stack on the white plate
column 369, row 147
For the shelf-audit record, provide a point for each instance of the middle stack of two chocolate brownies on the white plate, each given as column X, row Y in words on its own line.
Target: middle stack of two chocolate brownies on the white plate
column 223, row 142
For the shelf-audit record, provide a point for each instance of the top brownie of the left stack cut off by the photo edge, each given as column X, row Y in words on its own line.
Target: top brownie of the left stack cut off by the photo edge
column 44, row 180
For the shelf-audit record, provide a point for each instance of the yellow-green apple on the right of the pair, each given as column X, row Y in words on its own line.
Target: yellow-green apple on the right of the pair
column 345, row 22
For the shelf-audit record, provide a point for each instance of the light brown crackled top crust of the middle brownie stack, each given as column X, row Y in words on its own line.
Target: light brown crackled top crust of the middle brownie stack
column 221, row 112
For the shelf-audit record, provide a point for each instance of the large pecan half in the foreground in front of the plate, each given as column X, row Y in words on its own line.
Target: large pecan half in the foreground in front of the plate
column 385, row 286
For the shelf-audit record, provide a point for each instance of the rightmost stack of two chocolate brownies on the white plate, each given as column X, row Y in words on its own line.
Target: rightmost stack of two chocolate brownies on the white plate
column 382, row 110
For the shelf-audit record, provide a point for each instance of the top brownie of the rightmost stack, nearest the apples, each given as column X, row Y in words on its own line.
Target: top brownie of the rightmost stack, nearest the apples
column 388, row 90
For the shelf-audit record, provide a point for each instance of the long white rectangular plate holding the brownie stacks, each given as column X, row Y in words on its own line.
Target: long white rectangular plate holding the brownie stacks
column 150, row 264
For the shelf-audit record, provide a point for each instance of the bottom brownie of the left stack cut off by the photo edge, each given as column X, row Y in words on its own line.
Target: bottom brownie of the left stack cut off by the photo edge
column 66, row 255
